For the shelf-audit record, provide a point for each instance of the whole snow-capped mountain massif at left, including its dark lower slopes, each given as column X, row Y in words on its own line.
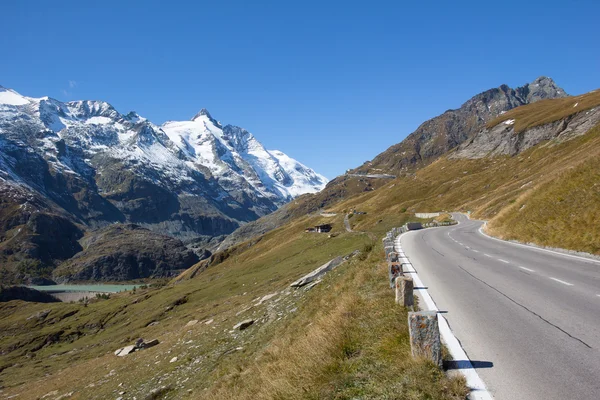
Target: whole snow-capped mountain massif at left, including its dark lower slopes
column 79, row 166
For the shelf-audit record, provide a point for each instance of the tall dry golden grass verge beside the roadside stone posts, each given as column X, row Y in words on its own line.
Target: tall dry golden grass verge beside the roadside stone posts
column 350, row 341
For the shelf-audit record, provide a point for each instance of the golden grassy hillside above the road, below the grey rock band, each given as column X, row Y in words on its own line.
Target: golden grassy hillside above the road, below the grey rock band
column 546, row 195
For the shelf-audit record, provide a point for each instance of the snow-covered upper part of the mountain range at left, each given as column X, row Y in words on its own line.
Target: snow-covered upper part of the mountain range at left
column 176, row 151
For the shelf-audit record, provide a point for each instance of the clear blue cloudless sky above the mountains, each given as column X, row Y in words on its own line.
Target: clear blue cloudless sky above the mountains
column 330, row 83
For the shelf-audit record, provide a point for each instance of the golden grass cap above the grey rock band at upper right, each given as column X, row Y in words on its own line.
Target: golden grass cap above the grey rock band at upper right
column 547, row 111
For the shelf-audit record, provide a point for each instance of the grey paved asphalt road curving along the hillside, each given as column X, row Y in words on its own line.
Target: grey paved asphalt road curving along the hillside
column 529, row 319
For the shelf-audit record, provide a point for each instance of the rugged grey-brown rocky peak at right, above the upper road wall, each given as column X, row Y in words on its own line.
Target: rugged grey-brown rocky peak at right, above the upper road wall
column 445, row 132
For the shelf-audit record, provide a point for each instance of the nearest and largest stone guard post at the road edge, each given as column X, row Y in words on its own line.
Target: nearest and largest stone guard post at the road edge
column 425, row 336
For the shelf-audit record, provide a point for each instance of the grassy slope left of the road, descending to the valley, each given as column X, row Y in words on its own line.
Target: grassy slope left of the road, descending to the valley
column 341, row 339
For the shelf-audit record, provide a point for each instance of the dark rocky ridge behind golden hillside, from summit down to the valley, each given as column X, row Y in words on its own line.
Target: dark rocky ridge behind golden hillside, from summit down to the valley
column 430, row 141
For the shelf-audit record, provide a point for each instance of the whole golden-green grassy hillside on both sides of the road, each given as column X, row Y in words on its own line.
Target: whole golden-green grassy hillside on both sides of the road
column 343, row 338
